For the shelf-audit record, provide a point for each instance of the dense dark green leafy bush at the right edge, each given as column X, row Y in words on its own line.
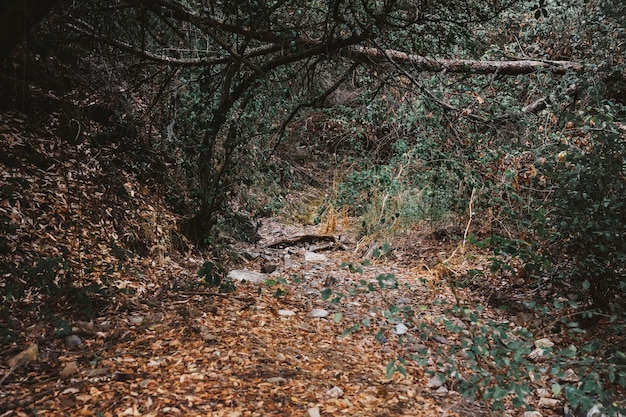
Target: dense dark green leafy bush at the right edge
column 588, row 229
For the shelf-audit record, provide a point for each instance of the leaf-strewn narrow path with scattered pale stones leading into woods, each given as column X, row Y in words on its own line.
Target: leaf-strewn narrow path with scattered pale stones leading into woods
column 254, row 352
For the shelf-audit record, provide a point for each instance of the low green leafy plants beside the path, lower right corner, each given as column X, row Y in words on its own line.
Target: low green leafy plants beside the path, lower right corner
column 496, row 361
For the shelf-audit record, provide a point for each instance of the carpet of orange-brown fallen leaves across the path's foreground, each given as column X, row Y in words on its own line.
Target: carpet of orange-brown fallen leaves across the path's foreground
column 233, row 355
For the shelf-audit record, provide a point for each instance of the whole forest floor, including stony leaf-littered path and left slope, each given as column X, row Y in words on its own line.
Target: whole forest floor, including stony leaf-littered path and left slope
column 320, row 334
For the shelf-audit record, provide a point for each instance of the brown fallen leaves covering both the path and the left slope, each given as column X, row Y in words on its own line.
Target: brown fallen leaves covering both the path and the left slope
column 153, row 348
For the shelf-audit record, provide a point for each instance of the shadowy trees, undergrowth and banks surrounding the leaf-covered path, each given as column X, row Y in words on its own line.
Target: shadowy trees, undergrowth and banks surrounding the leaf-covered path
column 139, row 132
